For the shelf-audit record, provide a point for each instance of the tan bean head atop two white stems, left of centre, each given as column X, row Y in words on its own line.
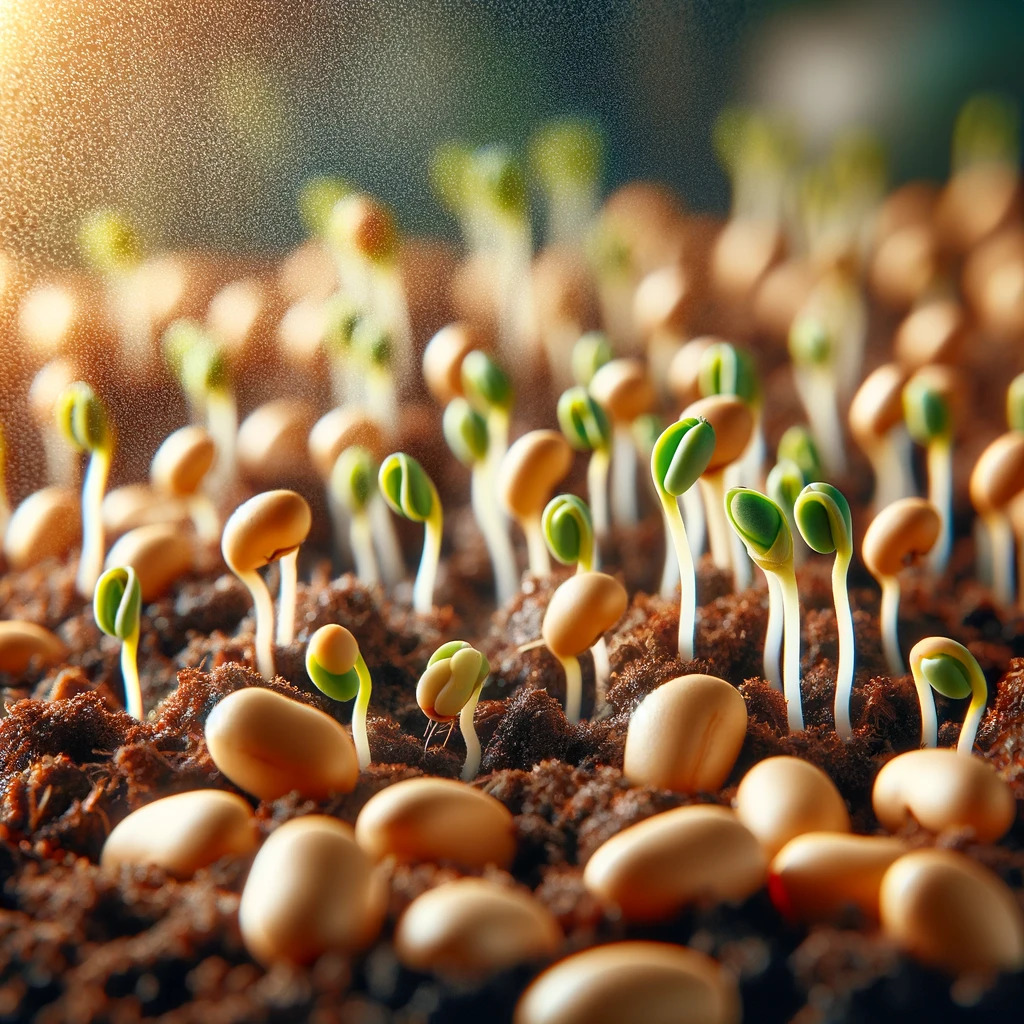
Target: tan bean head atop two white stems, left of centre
column 265, row 529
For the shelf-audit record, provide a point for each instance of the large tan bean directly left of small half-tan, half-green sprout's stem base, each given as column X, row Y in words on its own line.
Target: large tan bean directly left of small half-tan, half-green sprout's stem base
column 269, row 746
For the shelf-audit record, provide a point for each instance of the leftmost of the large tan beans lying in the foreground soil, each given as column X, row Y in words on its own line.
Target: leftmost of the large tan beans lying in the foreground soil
column 184, row 833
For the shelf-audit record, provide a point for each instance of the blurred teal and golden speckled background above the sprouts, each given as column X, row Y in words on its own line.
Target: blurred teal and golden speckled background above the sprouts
column 202, row 118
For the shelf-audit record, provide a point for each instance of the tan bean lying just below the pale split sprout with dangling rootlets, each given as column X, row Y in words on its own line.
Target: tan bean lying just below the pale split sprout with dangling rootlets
column 437, row 820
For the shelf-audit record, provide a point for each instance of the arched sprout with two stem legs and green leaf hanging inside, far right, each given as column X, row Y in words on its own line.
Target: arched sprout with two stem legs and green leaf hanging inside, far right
column 949, row 668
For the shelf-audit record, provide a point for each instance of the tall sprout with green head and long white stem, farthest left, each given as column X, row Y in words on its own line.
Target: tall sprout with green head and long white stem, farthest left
column 81, row 417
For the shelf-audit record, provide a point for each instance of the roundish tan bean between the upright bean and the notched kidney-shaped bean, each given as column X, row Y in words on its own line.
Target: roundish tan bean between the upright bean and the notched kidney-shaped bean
column 782, row 798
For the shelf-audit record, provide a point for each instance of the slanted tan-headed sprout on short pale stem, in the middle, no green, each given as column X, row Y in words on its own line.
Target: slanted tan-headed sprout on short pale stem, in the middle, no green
column 532, row 468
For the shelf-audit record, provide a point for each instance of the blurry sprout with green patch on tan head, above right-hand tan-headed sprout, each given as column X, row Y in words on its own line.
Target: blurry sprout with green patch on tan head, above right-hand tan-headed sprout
column 929, row 400
